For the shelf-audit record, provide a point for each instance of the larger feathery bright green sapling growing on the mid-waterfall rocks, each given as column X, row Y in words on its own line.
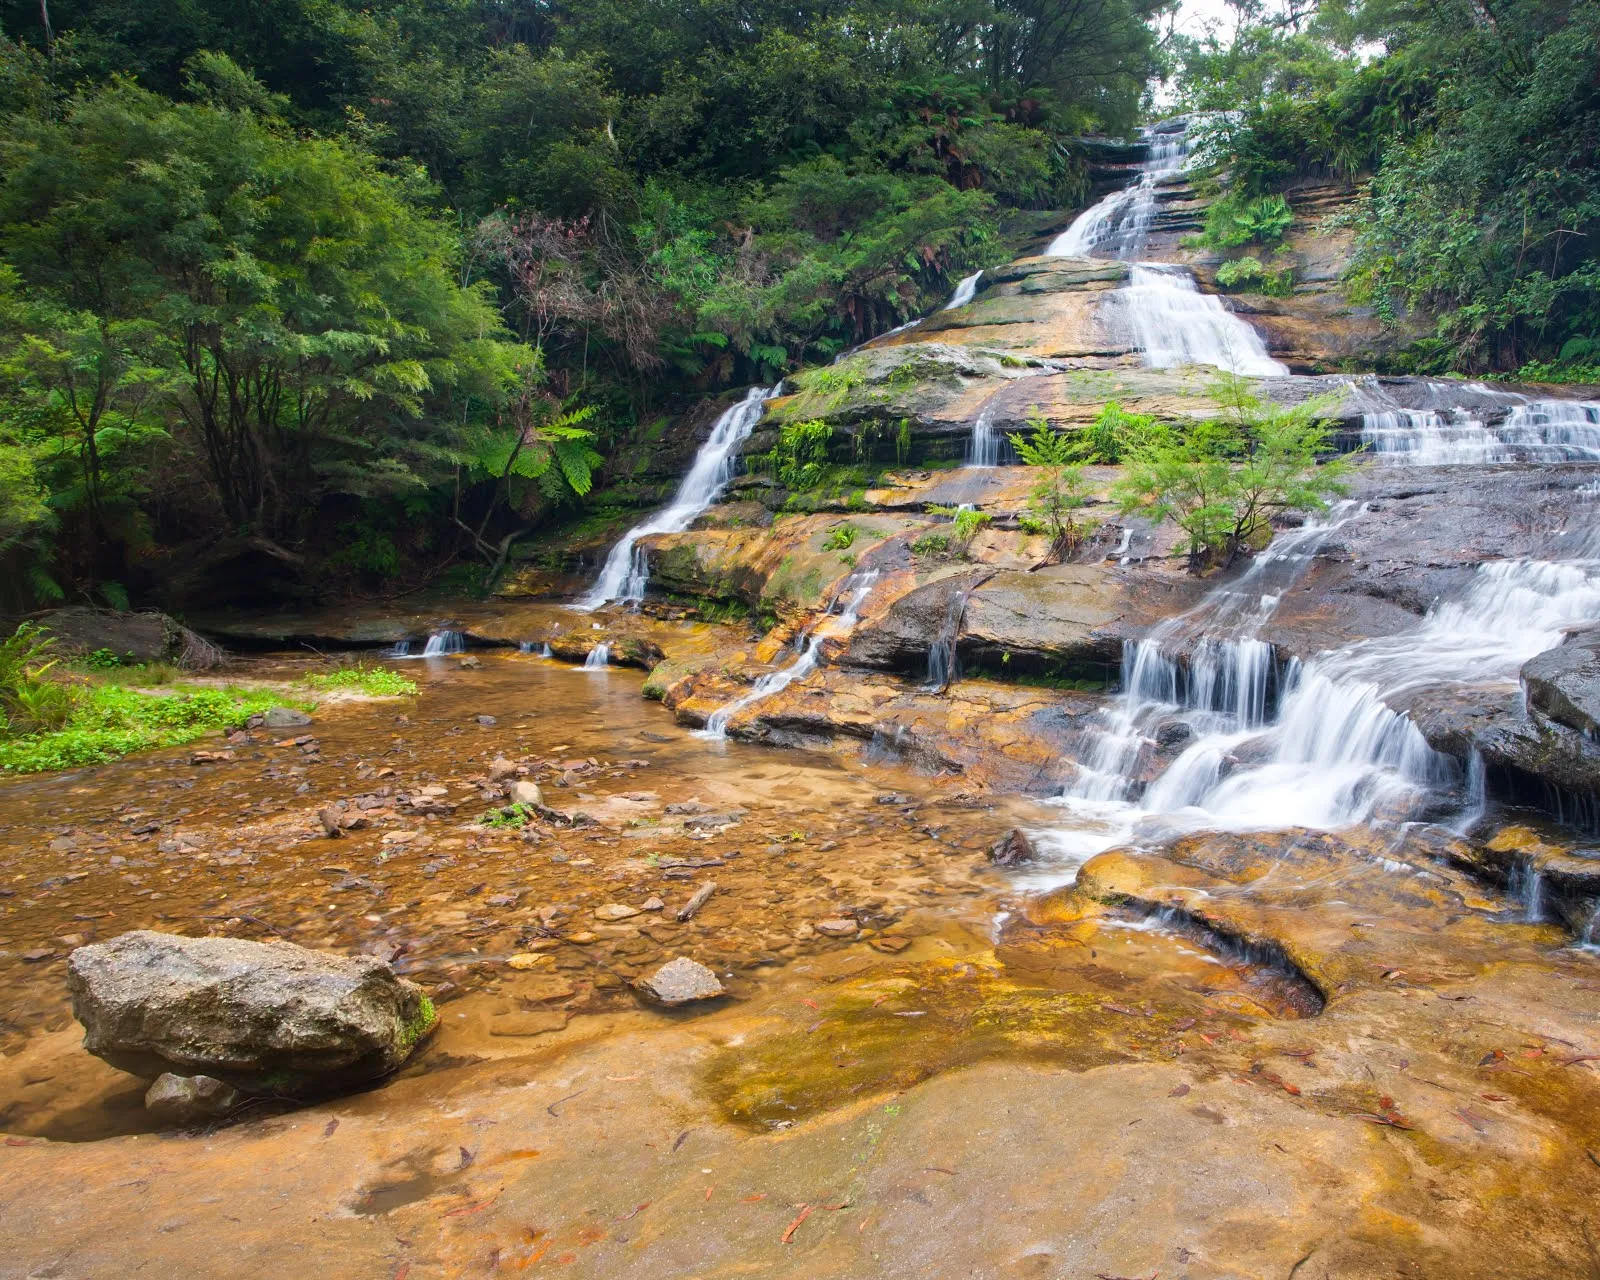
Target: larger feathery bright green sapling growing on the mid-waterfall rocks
column 1225, row 479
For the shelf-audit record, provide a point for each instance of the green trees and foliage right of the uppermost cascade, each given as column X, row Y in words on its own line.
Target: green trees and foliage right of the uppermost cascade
column 1476, row 129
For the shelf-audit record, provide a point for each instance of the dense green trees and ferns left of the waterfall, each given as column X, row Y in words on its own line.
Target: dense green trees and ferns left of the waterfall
column 364, row 289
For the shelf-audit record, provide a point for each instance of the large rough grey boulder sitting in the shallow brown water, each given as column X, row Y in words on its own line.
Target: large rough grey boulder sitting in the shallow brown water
column 262, row 1017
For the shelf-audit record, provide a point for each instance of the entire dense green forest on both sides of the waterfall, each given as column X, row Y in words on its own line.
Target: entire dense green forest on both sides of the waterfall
column 364, row 292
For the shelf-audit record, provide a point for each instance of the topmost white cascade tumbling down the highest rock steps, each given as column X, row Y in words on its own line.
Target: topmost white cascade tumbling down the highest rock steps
column 1161, row 310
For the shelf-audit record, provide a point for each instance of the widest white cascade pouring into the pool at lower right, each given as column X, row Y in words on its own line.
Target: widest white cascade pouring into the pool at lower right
column 1337, row 751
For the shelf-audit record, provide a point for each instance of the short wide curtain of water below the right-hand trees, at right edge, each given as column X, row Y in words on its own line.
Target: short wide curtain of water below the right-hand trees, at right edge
column 1535, row 431
